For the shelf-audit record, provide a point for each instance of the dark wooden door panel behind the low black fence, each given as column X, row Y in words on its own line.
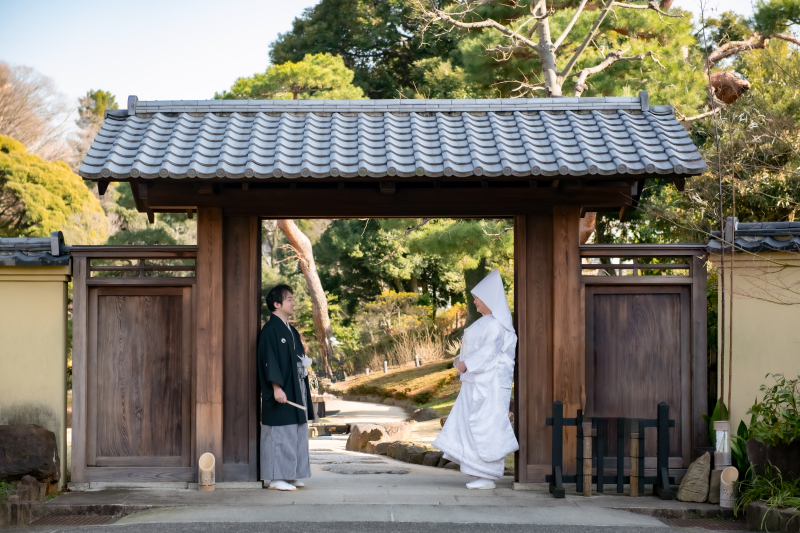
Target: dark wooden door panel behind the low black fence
column 636, row 357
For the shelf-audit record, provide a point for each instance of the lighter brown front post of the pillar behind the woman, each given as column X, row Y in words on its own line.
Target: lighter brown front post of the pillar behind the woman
column 568, row 357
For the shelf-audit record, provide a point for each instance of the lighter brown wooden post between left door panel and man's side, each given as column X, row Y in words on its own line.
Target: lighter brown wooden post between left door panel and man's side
column 209, row 361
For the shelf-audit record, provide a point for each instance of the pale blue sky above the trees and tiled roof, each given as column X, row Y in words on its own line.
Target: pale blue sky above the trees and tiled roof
column 161, row 50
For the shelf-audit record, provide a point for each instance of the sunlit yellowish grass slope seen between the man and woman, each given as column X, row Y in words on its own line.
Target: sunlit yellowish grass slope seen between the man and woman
column 433, row 385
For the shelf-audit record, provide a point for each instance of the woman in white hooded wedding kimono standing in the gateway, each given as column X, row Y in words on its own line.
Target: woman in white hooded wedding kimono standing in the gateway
column 478, row 434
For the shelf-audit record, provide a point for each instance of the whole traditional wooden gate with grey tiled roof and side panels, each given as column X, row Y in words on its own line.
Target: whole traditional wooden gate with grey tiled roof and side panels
column 541, row 161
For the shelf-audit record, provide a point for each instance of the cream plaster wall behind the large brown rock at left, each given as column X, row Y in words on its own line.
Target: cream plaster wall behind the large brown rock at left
column 33, row 350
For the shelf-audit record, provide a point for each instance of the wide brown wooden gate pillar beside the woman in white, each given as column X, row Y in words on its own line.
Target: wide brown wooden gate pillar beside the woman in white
column 549, row 316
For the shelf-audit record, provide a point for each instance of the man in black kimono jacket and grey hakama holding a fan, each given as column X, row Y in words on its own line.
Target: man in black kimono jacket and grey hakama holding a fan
column 283, row 373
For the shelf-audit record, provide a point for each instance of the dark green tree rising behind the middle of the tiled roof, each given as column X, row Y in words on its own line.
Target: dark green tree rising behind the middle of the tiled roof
column 378, row 40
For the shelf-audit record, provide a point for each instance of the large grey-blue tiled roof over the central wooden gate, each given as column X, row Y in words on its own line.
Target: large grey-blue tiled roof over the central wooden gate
column 589, row 137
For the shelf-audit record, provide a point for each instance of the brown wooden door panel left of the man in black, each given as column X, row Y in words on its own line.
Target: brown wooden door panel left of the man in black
column 140, row 385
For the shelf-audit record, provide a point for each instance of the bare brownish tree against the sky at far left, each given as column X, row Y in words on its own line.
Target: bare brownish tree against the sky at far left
column 33, row 112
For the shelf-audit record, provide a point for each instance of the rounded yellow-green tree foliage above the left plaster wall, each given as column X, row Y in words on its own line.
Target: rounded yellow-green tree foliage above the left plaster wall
column 38, row 197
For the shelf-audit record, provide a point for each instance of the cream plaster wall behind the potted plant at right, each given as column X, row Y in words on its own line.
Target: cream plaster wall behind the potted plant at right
column 766, row 325
